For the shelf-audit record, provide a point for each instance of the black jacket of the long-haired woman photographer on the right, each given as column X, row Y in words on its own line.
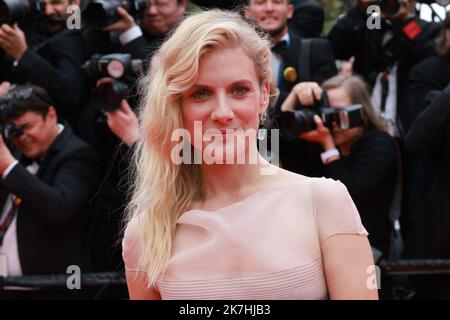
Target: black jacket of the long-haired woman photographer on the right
column 369, row 173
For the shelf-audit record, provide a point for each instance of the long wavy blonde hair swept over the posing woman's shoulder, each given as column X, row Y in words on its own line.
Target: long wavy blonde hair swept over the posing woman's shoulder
column 162, row 190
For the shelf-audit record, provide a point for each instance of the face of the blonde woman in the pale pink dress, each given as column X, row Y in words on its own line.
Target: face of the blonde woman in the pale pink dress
column 226, row 97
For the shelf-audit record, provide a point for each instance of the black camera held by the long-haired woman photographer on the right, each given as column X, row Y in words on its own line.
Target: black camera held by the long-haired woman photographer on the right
column 301, row 120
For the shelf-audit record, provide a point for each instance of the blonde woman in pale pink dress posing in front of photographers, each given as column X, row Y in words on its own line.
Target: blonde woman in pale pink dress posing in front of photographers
column 227, row 231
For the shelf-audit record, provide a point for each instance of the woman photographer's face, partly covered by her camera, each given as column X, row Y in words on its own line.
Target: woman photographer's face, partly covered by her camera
column 338, row 98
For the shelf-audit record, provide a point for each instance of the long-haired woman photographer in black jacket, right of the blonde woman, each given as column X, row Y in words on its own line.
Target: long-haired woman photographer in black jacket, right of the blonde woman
column 363, row 158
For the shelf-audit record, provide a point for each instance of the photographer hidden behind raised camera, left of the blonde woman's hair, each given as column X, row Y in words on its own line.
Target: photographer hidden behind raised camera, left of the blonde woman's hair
column 109, row 124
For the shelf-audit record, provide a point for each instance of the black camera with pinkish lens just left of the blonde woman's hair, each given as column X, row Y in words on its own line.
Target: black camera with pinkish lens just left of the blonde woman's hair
column 122, row 68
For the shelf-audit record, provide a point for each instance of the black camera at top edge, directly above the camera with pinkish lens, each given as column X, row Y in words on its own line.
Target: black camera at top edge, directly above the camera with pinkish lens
column 100, row 13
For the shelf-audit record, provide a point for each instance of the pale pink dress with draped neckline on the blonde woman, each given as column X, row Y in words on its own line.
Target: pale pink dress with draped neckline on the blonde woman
column 267, row 246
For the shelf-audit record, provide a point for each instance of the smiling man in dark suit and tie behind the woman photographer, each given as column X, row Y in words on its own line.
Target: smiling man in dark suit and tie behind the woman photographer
column 294, row 60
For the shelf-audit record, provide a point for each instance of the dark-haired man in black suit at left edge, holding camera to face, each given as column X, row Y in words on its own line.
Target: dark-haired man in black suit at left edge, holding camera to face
column 45, row 193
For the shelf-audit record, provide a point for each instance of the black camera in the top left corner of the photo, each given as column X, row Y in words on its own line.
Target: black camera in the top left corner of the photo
column 12, row 11
